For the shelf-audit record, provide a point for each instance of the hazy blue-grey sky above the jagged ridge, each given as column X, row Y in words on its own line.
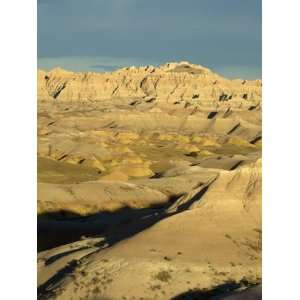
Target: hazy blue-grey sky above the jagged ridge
column 103, row 35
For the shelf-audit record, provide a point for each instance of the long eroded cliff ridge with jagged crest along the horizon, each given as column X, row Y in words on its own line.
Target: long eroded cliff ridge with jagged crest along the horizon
column 172, row 83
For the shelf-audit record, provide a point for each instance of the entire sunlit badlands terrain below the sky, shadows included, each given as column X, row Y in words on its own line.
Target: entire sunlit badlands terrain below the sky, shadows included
column 149, row 184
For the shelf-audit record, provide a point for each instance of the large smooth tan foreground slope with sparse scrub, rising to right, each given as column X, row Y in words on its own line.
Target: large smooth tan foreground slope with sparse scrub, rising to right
column 211, row 235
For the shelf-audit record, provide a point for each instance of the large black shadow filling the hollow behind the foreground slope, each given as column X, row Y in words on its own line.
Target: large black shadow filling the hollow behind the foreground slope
column 59, row 228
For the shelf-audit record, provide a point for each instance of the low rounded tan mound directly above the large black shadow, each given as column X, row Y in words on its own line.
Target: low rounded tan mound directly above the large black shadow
column 92, row 197
